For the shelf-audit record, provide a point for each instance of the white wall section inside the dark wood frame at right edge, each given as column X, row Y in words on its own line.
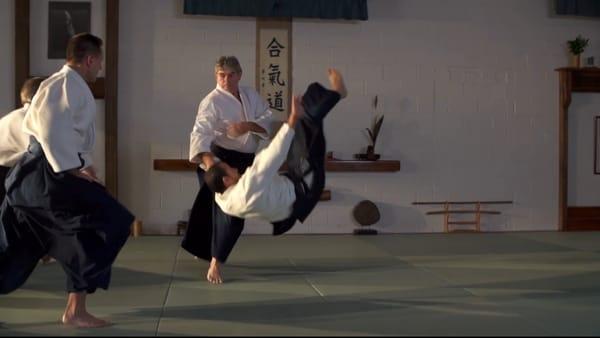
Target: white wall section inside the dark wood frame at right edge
column 584, row 186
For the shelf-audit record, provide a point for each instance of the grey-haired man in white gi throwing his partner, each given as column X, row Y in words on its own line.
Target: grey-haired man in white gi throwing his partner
column 230, row 121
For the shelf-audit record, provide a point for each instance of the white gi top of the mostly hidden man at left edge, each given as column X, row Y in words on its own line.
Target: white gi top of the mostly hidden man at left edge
column 13, row 141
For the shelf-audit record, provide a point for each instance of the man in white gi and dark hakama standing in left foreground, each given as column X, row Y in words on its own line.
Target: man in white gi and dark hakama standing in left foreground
column 54, row 203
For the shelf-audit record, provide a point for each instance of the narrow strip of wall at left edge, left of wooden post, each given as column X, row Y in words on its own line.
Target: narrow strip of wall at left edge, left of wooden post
column 7, row 57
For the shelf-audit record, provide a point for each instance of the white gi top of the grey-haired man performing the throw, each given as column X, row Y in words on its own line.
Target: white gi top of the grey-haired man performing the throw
column 220, row 108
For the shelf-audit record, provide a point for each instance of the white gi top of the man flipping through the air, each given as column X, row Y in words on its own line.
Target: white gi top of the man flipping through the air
column 261, row 191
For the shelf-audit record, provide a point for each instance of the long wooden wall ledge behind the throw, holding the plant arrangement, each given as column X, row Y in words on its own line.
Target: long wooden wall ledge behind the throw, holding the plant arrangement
column 332, row 165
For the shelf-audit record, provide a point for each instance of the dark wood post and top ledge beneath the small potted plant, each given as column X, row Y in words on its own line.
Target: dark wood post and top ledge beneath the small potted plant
column 570, row 80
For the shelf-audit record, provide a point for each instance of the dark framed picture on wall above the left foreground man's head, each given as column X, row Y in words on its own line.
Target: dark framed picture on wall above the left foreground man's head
column 66, row 19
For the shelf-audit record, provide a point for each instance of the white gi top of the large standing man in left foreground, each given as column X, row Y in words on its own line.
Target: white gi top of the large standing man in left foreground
column 62, row 119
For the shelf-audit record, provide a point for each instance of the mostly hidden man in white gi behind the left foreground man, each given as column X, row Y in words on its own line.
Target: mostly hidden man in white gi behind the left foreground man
column 13, row 141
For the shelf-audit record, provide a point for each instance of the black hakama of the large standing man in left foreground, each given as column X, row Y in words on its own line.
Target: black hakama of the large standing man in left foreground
column 69, row 218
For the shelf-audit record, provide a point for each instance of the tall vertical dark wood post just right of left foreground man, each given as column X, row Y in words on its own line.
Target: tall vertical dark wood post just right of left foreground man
column 111, row 96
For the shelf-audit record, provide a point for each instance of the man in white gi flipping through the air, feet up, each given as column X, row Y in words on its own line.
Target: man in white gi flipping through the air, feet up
column 261, row 191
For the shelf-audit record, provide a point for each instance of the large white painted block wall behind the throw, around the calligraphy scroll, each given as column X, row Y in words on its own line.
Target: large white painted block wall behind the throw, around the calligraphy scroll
column 468, row 89
